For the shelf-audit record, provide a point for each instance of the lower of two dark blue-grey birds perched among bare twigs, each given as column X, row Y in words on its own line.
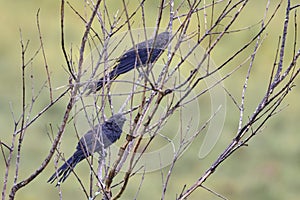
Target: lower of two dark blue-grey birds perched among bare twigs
column 95, row 140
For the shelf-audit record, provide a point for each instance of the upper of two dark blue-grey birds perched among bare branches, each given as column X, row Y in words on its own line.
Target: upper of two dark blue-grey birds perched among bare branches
column 145, row 52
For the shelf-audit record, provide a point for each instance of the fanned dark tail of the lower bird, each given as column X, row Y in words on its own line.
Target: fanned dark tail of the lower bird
column 64, row 171
